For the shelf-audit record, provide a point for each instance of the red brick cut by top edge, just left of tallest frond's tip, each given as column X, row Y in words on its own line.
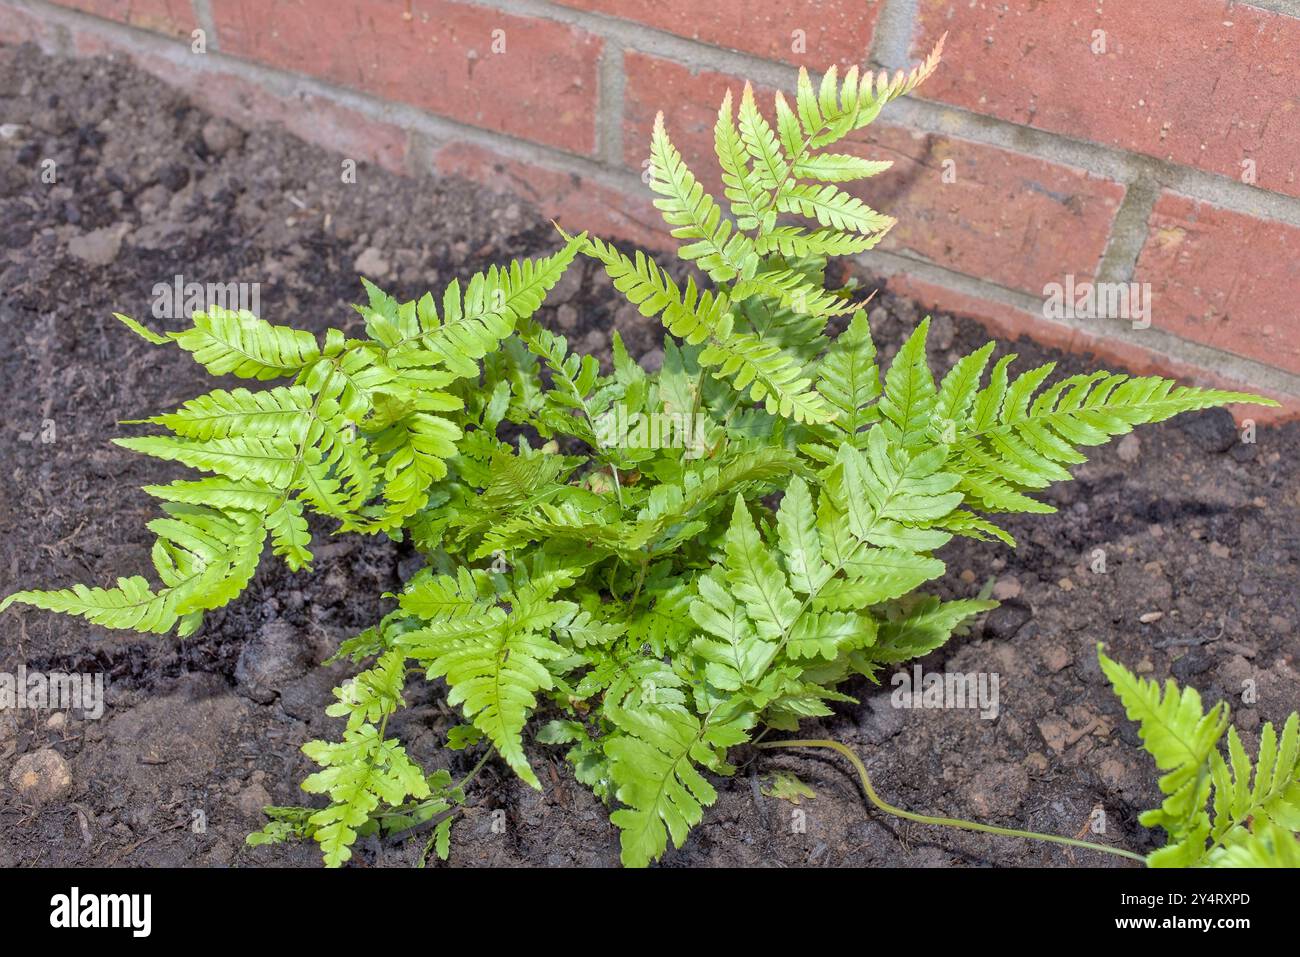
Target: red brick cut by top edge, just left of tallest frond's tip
column 833, row 31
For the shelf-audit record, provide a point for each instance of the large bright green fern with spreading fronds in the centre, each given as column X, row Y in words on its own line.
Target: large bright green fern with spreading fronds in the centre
column 638, row 599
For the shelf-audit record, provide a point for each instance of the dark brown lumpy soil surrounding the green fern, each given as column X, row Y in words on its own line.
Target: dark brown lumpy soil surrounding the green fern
column 1194, row 523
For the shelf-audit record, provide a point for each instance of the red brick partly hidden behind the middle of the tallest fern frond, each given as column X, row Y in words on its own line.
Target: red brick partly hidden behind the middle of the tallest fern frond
column 1008, row 218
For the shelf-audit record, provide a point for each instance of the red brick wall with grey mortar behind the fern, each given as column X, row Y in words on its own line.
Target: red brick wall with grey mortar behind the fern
column 1116, row 141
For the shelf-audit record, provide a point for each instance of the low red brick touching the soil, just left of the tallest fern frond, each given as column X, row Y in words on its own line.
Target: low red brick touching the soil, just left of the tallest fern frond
column 575, row 202
